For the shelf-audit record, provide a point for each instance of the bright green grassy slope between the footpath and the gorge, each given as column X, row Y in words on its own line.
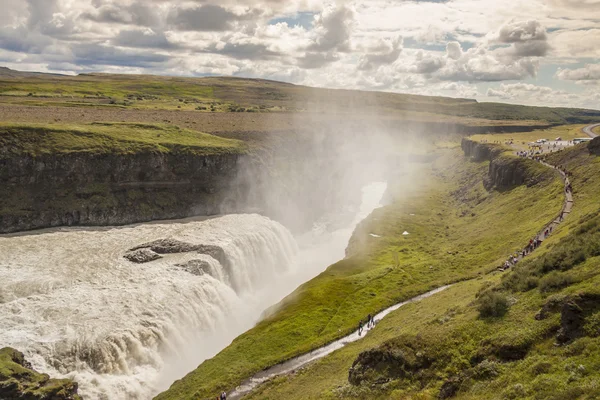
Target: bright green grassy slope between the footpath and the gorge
column 442, row 247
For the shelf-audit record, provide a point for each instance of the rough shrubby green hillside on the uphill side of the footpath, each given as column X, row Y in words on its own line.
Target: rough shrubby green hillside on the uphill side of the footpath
column 451, row 332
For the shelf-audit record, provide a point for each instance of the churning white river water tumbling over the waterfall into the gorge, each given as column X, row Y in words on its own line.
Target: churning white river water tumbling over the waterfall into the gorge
column 78, row 309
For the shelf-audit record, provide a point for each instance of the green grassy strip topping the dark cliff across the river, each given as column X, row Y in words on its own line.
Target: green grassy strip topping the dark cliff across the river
column 114, row 138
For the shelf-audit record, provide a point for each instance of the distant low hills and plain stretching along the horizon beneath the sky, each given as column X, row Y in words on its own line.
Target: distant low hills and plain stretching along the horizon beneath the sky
column 228, row 94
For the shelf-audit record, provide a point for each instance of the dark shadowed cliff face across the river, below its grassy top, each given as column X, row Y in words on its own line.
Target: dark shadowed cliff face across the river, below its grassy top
column 104, row 189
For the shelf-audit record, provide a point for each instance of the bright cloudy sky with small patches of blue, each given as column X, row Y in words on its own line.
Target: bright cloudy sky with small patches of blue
column 533, row 52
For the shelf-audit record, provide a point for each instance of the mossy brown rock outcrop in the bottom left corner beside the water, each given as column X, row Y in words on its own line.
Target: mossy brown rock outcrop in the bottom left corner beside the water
column 19, row 381
